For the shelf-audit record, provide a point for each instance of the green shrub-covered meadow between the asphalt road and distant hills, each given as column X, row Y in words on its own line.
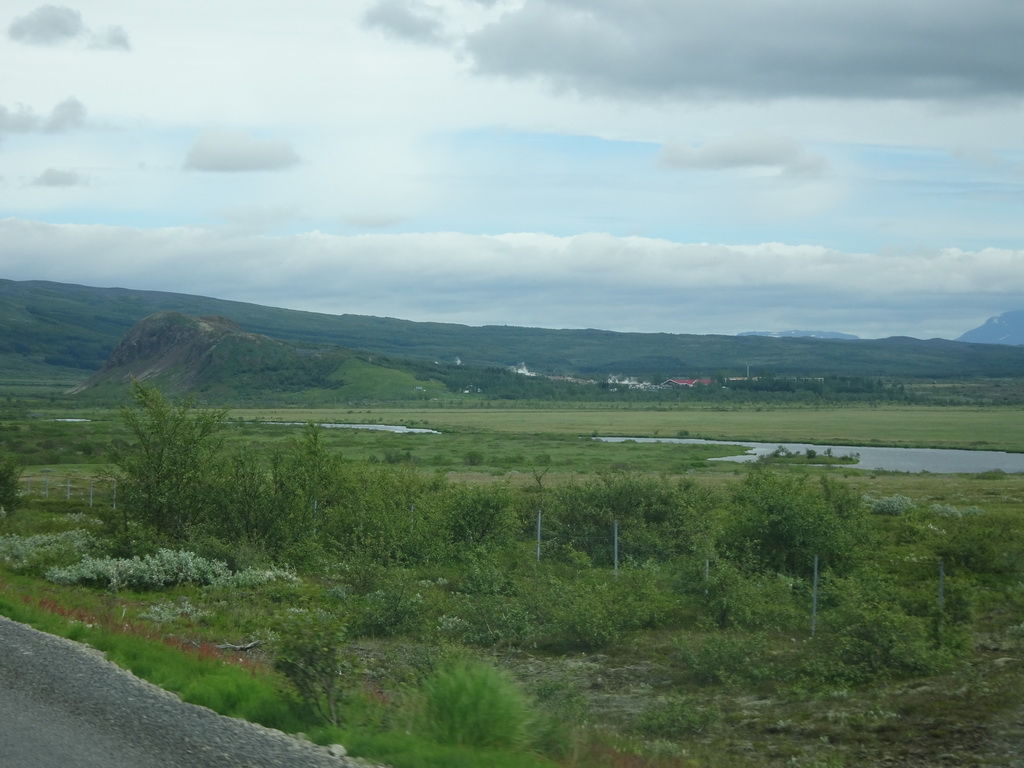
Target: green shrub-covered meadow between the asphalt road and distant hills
column 693, row 644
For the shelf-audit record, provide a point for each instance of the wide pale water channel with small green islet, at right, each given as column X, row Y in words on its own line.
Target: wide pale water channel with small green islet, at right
column 940, row 461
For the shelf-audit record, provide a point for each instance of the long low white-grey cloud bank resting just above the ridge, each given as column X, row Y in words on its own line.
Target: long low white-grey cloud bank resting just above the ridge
column 596, row 281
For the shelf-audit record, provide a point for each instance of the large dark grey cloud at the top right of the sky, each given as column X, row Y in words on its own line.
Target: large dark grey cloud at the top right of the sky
column 736, row 50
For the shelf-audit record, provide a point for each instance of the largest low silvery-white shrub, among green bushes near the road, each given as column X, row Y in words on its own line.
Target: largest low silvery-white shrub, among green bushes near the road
column 165, row 569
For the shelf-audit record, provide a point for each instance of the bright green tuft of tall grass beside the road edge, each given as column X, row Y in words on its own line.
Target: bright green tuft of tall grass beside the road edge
column 477, row 705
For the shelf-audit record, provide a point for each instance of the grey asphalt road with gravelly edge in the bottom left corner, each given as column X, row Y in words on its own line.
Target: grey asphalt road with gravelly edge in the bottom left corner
column 63, row 706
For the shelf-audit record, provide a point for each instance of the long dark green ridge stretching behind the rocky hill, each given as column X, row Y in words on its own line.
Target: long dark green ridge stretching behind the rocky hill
column 73, row 330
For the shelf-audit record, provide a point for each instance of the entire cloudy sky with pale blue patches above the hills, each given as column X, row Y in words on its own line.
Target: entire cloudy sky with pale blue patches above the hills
column 682, row 166
